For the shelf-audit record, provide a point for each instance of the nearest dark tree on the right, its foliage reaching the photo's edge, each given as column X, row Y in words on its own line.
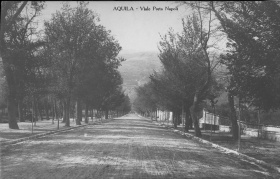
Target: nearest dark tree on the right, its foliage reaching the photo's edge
column 253, row 52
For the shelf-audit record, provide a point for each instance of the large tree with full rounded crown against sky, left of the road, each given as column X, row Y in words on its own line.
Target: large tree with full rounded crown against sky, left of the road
column 77, row 46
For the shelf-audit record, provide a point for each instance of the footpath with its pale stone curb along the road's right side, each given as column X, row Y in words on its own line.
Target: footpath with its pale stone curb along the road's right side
column 258, row 150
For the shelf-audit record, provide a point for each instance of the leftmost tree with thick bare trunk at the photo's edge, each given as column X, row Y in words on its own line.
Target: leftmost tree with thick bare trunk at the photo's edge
column 14, row 25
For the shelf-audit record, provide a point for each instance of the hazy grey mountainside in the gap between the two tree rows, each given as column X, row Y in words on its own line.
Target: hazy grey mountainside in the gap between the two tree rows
column 137, row 68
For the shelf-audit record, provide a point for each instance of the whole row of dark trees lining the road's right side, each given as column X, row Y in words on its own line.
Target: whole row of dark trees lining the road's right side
column 190, row 59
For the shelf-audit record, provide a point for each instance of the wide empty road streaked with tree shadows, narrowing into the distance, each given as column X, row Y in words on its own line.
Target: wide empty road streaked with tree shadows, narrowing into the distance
column 128, row 147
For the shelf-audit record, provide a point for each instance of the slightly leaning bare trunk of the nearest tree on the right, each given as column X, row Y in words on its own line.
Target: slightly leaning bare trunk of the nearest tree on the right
column 233, row 118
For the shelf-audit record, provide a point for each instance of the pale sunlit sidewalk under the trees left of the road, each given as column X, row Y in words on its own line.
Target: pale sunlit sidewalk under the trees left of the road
column 45, row 126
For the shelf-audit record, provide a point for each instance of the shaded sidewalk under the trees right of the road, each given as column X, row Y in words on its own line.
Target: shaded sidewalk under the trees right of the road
column 260, row 149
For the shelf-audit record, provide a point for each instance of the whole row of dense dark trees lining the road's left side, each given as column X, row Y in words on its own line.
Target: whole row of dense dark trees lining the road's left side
column 70, row 62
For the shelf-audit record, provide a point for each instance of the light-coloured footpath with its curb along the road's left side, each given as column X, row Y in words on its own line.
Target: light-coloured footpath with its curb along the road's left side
column 42, row 128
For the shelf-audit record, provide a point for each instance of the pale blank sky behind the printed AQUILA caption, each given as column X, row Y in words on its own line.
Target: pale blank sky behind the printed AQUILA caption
column 136, row 30
